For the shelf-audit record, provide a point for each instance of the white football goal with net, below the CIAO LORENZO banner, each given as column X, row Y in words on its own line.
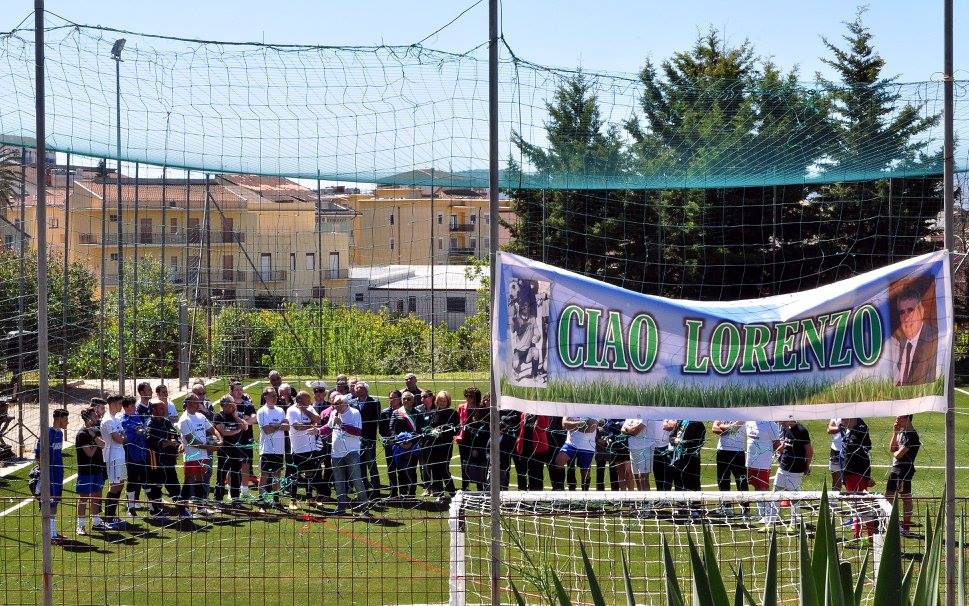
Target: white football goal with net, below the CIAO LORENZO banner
column 541, row 532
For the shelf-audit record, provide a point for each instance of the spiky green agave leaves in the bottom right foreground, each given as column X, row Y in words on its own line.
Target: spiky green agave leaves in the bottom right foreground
column 825, row 580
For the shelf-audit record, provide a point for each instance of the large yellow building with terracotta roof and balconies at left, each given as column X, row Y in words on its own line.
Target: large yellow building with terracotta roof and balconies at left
column 236, row 237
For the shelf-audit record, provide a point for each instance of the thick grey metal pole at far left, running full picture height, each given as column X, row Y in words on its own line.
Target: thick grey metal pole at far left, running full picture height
column 42, row 391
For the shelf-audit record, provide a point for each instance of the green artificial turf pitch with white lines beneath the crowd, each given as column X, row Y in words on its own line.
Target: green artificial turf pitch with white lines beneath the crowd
column 399, row 556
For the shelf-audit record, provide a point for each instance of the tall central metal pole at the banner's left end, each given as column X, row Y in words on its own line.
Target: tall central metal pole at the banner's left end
column 494, row 473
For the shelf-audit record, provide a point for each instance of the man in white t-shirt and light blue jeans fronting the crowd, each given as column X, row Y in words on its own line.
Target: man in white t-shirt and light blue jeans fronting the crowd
column 347, row 426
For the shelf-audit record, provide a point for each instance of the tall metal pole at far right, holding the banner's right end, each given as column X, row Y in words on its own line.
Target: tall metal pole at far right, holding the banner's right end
column 949, row 241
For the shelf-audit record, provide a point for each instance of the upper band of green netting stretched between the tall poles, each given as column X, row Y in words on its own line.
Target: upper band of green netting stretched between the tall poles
column 371, row 114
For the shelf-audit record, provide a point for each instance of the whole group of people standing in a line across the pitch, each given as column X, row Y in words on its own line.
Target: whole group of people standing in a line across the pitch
column 312, row 443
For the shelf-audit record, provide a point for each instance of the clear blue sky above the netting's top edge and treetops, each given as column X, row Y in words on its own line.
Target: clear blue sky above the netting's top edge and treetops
column 606, row 35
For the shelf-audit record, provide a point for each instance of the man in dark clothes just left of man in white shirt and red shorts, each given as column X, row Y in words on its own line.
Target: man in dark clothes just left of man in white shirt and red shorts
column 162, row 438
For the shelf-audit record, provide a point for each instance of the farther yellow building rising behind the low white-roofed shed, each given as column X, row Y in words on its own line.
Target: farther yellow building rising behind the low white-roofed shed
column 402, row 225
